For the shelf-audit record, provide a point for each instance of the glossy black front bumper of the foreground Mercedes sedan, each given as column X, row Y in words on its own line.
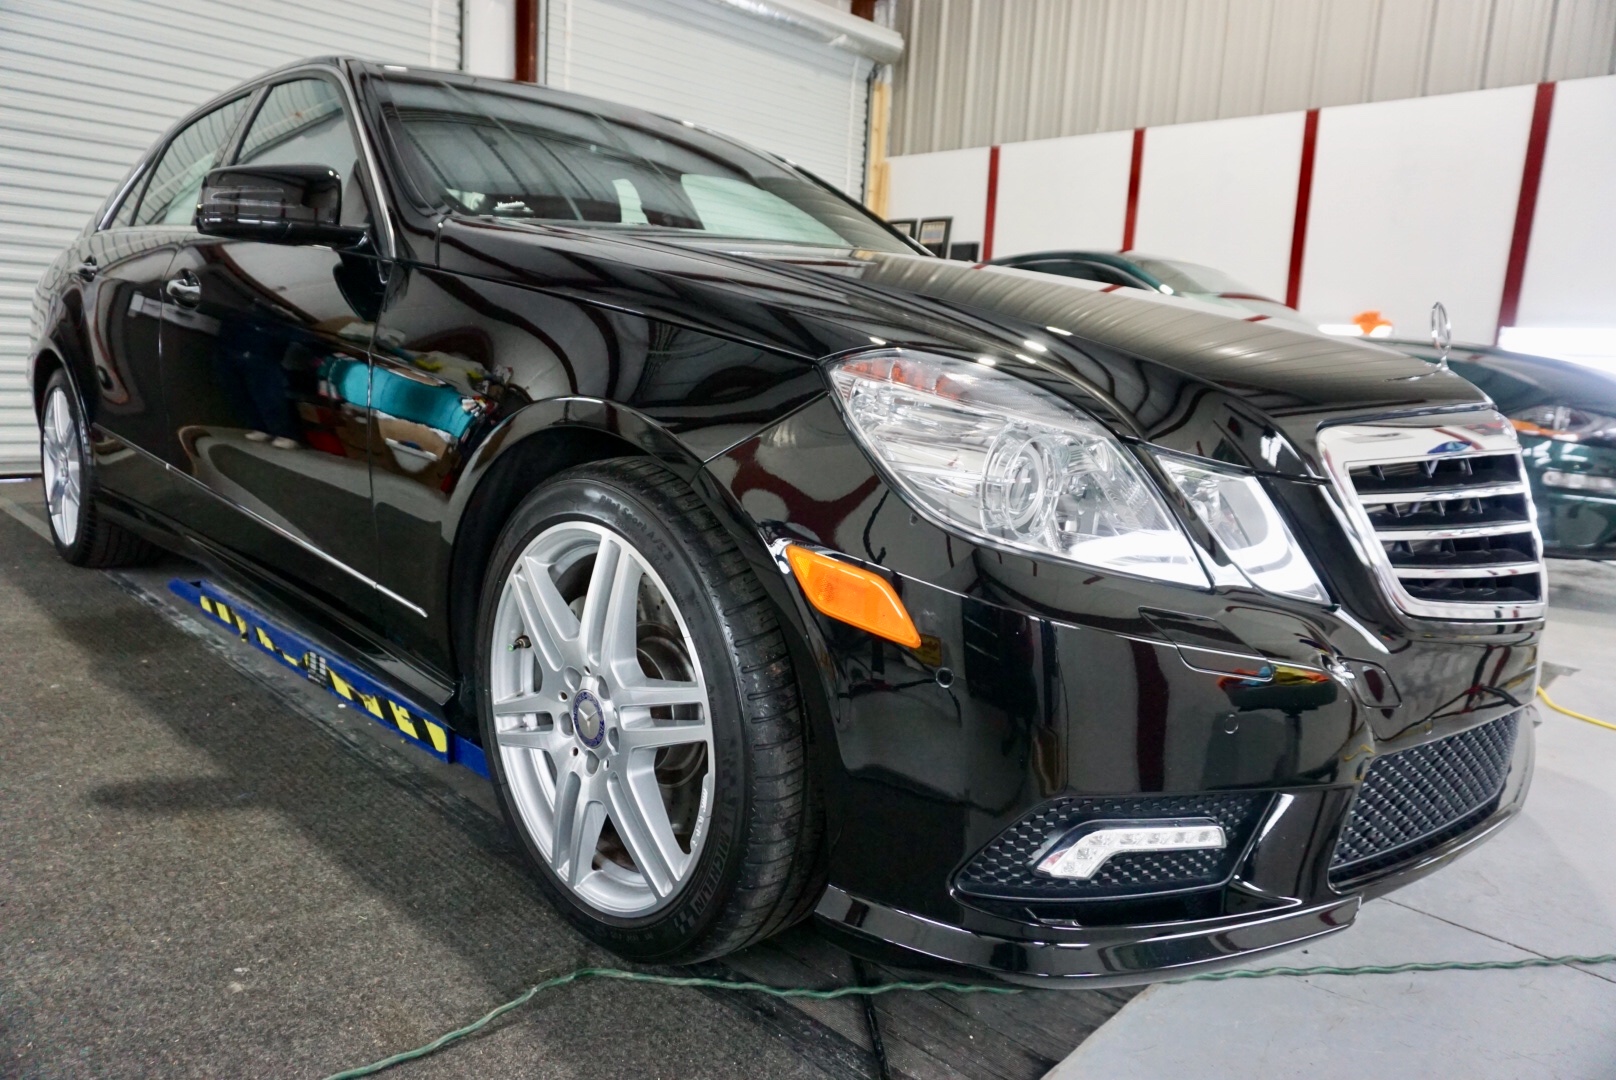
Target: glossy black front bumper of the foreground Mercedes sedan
column 1045, row 690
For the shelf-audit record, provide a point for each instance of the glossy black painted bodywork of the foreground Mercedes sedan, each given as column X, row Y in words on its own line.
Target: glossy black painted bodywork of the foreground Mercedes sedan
column 415, row 389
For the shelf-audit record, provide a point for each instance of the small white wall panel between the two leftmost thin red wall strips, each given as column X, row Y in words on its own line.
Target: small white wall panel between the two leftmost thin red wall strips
column 1063, row 193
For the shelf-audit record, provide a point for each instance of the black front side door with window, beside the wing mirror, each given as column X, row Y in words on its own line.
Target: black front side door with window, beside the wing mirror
column 266, row 371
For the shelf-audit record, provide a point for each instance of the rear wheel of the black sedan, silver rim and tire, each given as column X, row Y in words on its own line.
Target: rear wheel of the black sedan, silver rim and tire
column 82, row 533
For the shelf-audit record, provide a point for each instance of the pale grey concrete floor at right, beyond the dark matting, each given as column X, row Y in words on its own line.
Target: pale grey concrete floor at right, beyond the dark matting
column 1544, row 887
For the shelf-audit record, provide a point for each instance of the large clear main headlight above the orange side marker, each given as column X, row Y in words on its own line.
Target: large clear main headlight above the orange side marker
column 1011, row 465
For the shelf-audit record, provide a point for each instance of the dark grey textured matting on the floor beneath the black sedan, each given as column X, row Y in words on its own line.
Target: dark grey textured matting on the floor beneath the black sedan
column 209, row 869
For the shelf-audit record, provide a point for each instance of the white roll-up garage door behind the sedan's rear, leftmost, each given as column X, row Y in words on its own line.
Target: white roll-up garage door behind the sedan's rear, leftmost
column 88, row 85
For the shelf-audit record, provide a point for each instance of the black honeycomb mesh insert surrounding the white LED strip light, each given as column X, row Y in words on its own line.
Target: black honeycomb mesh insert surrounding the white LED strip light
column 1004, row 869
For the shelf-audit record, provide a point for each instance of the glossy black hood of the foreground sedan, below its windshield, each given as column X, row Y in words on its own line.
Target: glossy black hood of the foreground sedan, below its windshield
column 1171, row 371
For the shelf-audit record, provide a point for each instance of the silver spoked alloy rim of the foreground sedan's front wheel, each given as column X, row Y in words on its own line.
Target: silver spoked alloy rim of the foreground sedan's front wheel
column 602, row 719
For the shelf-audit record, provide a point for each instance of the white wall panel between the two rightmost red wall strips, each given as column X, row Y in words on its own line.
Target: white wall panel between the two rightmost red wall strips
column 1415, row 203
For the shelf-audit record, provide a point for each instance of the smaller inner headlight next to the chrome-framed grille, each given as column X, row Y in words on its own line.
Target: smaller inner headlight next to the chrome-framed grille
column 1242, row 517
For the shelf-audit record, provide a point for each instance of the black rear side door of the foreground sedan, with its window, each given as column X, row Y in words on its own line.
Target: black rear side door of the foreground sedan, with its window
column 122, row 271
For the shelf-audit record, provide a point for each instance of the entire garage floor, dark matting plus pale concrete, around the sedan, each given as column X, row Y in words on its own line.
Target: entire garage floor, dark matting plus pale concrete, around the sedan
column 209, row 869
